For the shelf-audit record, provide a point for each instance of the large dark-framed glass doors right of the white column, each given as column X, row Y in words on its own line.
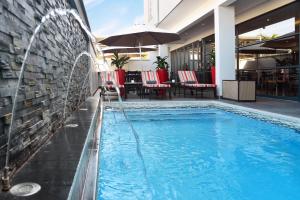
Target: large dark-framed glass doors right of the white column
column 269, row 54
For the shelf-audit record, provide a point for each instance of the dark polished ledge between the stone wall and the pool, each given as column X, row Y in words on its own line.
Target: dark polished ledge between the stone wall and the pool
column 54, row 166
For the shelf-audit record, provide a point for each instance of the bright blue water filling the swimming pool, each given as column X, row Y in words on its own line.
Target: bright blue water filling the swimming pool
column 197, row 154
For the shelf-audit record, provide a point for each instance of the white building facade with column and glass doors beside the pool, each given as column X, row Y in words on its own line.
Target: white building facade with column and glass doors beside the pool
column 244, row 39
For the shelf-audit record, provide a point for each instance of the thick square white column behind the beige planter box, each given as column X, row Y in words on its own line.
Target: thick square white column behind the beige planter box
column 225, row 45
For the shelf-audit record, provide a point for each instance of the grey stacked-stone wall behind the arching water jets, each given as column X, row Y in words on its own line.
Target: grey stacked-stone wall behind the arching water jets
column 41, row 96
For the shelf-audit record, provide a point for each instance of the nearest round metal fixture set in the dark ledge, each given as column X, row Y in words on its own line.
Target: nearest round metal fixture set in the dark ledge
column 25, row 189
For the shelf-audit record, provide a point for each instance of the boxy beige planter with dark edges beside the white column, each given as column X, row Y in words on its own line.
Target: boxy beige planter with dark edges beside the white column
column 239, row 90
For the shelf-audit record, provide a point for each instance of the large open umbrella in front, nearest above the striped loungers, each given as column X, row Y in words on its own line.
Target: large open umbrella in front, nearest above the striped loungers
column 141, row 35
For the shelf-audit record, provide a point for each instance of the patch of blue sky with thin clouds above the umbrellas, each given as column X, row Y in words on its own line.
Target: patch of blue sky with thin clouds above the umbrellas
column 108, row 17
